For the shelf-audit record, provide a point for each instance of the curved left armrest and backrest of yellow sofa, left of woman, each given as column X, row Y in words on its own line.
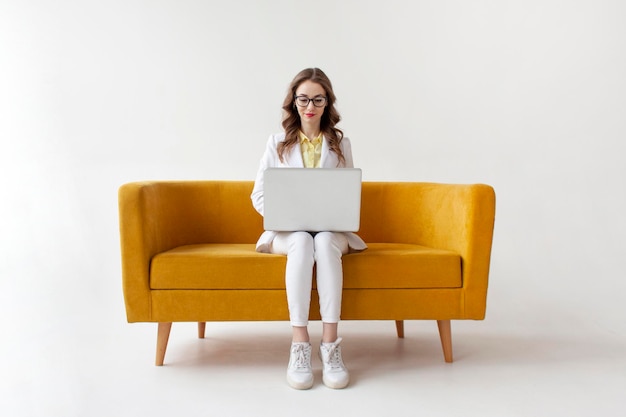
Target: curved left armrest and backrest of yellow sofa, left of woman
column 160, row 215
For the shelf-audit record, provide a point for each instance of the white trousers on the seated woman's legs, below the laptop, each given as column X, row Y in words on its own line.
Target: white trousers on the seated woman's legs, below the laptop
column 303, row 251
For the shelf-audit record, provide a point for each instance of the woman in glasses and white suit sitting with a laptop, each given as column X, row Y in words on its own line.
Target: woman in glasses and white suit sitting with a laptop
column 310, row 140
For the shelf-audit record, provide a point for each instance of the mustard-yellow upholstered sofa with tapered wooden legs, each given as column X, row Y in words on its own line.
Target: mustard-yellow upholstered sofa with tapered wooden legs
column 188, row 256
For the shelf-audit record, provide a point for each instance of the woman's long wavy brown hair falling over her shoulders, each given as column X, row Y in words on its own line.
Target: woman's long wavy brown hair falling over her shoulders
column 330, row 117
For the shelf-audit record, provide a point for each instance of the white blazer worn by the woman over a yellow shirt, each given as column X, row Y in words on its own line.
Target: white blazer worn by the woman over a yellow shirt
column 293, row 159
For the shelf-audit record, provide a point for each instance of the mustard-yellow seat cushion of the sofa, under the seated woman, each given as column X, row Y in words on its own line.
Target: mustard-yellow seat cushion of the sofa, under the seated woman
column 233, row 266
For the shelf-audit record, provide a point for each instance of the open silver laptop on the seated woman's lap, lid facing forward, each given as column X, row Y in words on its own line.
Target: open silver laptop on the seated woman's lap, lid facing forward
column 312, row 199
